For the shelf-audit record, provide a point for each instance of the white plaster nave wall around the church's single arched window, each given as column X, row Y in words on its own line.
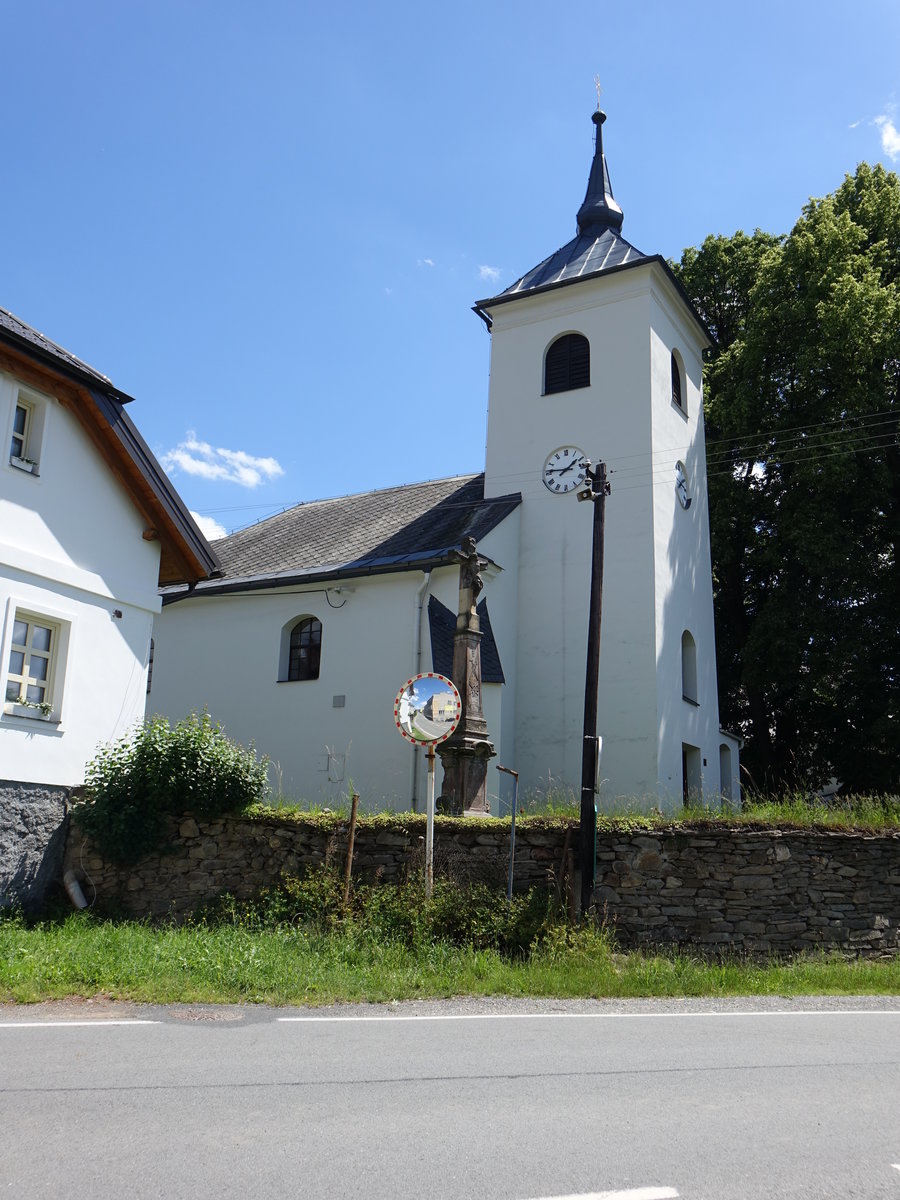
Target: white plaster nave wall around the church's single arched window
column 221, row 653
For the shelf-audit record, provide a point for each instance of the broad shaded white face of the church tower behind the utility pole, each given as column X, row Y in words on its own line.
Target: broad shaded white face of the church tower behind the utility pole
column 609, row 421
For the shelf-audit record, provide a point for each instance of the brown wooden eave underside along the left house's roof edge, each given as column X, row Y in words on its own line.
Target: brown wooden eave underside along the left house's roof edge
column 185, row 555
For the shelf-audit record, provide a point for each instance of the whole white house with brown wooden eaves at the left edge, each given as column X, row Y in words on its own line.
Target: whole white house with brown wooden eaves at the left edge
column 91, row 529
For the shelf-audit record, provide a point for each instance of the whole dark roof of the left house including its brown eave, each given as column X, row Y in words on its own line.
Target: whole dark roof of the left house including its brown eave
column 100, row 407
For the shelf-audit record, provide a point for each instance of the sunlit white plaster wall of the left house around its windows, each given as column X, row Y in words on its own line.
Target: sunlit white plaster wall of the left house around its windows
column 71, row 549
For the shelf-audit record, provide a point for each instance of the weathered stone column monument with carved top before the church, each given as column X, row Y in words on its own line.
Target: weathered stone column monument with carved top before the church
column 466, row 753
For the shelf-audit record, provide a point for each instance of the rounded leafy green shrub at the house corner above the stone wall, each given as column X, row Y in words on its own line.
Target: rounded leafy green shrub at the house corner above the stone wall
column 159, row 770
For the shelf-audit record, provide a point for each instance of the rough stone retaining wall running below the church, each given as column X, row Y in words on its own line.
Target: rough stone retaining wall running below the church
column 717, row 887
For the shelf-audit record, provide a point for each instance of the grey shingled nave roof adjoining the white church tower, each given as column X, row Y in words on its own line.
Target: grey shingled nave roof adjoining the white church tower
column 393, row 530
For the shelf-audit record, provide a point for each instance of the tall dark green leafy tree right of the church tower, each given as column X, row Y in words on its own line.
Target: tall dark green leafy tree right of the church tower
column 802, row 410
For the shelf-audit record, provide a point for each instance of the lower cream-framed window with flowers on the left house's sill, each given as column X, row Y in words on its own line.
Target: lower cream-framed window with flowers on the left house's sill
column 49, row 709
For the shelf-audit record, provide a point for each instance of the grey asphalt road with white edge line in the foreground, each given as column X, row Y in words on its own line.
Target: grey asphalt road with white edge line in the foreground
column 518, row 1101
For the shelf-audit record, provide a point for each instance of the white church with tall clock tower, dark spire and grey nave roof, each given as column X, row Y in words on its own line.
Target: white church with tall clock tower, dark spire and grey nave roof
column 323, row 611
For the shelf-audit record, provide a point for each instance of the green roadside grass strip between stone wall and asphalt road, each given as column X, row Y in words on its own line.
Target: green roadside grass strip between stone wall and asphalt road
column 237, row 963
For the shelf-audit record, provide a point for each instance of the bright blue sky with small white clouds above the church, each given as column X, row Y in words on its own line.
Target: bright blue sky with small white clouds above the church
column 268, row 224
